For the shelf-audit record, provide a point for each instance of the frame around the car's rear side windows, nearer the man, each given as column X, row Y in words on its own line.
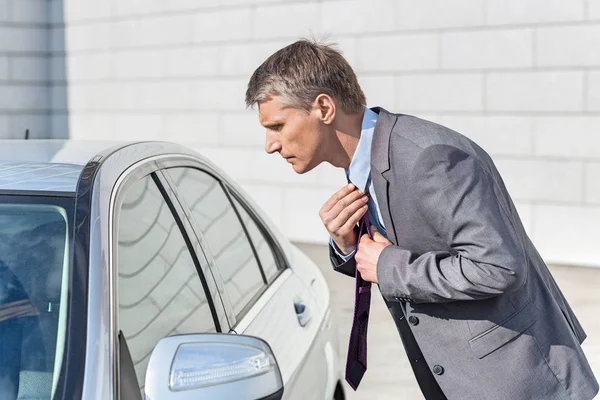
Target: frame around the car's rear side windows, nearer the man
column 230, row 190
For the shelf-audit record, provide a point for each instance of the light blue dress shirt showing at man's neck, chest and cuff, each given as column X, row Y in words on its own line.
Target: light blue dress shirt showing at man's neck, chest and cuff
column 359, row 173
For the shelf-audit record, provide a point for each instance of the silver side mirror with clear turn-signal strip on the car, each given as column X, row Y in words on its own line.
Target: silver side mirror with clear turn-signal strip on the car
column 213, row 366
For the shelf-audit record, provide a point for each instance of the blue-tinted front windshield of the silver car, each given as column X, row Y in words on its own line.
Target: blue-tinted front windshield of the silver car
column 34, row 271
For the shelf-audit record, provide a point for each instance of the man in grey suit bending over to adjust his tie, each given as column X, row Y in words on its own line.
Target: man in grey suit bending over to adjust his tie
column 479, row 314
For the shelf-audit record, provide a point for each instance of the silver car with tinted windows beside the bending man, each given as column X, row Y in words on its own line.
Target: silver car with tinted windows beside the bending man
column 142, row 271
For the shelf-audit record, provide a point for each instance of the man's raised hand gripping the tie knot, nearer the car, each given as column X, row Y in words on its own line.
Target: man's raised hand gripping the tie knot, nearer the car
column 341, row 213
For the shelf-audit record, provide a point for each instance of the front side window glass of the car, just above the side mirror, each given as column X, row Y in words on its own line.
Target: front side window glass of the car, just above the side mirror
column 160, row 292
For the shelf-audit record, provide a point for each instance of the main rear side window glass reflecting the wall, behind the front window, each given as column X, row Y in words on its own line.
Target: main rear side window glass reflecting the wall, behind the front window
column 223, row 233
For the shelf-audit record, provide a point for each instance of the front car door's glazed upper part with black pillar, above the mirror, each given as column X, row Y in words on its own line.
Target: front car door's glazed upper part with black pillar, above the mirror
column 161, row 287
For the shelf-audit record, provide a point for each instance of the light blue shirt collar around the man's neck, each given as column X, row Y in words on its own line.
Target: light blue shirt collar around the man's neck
column 360, row 167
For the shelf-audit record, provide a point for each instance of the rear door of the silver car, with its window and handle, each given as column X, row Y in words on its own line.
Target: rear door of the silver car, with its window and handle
column 265, row 297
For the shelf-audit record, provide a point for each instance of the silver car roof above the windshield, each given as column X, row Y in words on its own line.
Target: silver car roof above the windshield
column 46, row 165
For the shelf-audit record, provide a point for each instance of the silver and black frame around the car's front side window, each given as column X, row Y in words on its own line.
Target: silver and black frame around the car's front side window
column 134, row 174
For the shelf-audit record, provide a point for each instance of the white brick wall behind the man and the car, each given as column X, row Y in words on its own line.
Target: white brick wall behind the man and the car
column 521, row 78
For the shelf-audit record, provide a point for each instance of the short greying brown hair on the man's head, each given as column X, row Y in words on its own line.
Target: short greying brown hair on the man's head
column 300, row 72
